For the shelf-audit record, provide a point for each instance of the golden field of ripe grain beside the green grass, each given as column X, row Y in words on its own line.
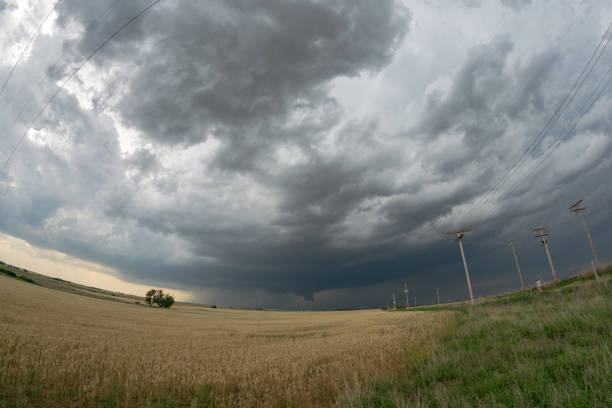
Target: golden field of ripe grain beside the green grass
column 61, row 349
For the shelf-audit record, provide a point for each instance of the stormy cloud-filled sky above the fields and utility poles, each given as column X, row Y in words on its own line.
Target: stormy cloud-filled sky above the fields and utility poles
column 303, row 154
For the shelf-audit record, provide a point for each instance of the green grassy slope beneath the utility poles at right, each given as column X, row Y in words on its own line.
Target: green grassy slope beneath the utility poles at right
column 527, row 349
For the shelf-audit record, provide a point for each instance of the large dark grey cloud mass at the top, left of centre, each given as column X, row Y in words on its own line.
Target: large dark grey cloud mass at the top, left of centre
column 225, row 66
